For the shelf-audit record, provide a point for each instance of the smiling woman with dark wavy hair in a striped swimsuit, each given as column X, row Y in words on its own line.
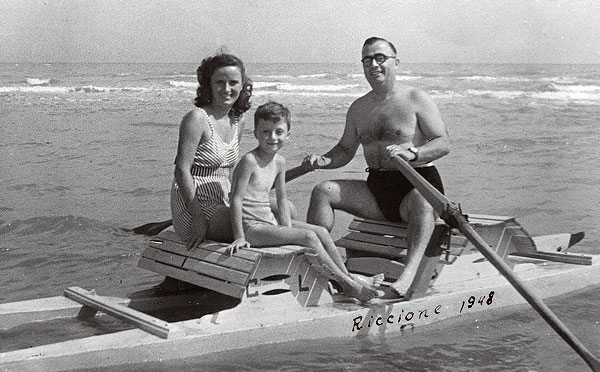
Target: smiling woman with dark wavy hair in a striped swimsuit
column 207, row 151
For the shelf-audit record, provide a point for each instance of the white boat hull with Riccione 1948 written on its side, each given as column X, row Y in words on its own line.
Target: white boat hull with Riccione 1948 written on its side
column 278, row 318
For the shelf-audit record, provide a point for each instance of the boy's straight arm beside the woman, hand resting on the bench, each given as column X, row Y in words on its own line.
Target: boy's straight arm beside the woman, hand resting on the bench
column 241, row 178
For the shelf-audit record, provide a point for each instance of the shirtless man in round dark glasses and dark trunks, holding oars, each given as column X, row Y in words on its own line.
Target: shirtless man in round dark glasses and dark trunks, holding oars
column 391, row 120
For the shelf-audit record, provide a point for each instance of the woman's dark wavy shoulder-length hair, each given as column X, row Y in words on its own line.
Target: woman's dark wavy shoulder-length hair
column 207, row 68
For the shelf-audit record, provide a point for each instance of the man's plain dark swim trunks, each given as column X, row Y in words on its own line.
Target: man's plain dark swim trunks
column 390, row 187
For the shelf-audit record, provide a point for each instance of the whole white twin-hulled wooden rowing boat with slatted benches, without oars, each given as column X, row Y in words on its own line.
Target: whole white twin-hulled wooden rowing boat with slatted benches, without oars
column 280, row 294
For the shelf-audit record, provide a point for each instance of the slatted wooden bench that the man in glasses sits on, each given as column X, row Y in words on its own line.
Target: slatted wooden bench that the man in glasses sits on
column 380, row 247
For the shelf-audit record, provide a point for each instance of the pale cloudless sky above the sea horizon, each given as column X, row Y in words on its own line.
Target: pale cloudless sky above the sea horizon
column 424, row 31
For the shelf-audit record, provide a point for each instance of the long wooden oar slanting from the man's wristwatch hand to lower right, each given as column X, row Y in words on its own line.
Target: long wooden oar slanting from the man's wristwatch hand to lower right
column 450, row 212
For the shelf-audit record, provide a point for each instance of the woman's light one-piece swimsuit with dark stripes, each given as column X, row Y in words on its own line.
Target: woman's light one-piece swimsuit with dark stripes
column 210, row 171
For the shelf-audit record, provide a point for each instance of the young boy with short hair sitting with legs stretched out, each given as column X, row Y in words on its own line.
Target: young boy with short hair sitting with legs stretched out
column 251, row 216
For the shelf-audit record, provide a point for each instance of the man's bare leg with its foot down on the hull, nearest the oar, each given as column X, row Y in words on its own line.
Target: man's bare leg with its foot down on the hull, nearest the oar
column 420, row 218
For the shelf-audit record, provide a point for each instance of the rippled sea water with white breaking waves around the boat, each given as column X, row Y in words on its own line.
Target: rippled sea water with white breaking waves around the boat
column 87, row 150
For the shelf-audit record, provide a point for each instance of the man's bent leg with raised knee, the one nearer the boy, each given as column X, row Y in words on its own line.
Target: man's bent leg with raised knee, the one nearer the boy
column 351, row 196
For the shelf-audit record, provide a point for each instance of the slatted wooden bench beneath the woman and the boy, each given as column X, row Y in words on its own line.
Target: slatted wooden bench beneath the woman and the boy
column 248, row 273
